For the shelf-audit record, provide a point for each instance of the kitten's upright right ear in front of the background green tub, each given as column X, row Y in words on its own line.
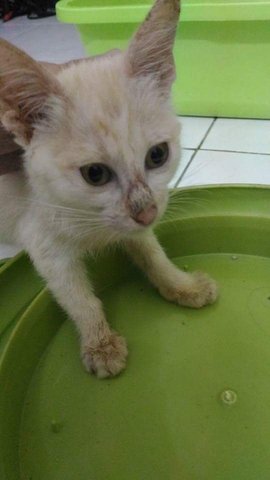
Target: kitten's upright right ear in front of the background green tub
column 150, row 51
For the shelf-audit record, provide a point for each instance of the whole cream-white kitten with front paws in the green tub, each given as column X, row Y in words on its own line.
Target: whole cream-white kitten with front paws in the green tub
column 101, row 144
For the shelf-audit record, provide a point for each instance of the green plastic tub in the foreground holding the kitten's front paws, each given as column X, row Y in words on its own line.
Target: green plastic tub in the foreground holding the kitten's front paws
column 193, row 403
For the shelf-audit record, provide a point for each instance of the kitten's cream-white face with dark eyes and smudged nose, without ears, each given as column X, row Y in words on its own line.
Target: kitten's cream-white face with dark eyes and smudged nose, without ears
column 112, row 149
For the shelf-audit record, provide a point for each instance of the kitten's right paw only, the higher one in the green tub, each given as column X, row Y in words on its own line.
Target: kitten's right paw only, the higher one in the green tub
column 197, row 290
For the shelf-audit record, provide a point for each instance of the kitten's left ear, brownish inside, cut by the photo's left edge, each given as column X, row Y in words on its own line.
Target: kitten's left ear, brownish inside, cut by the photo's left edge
column 25, row 87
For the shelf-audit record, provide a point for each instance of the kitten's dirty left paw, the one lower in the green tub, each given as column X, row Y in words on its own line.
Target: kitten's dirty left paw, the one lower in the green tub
column 106, row 359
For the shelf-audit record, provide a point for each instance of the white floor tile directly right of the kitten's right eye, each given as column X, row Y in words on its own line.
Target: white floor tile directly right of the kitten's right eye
column 194, row 130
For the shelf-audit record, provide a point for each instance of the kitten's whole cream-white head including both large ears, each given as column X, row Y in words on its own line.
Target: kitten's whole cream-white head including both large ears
column 99, row 134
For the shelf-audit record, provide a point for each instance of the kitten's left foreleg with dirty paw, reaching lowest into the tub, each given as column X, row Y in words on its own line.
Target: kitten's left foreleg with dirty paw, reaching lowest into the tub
column 103, row 351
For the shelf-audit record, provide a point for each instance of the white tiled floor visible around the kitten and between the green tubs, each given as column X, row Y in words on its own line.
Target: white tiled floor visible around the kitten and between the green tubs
column 214, row 150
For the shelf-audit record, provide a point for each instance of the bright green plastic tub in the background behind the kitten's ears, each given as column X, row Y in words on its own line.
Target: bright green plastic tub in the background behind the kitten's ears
column 222, row 49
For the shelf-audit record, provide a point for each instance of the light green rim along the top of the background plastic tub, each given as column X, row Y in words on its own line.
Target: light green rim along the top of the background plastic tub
column 205, row 12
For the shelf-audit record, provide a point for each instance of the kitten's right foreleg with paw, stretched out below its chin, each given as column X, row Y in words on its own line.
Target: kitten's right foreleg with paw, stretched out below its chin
column 189, row 289
